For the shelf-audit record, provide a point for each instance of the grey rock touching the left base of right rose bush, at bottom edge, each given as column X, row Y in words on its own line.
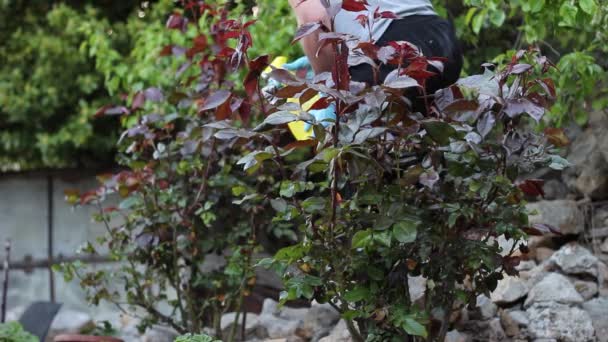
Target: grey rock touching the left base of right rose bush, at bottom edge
column 318, row 322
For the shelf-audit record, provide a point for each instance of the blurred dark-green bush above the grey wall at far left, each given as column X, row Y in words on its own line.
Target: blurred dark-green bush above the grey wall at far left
column 49, row 88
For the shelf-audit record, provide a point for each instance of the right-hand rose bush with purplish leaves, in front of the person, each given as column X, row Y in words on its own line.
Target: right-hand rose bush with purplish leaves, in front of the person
column 387, row 193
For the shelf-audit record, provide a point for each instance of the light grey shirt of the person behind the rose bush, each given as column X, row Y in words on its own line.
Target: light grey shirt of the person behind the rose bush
column 346, row 22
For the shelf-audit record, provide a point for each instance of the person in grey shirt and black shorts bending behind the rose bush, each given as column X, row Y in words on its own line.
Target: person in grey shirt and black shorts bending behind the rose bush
column 416, row 22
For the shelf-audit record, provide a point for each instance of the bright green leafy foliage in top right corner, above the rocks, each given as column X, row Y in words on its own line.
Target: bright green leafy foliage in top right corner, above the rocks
column 572, row 33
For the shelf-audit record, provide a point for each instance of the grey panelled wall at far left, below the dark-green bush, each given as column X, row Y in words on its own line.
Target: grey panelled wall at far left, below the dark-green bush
column 24, row 219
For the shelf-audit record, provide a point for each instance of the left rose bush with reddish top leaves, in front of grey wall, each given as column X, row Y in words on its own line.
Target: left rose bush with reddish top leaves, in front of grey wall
column 180, row 193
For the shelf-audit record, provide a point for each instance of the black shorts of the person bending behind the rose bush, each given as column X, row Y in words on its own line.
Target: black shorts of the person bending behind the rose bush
column 434, row 36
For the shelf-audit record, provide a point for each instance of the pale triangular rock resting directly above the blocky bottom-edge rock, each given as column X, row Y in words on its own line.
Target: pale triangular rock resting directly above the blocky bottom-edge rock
column 553, row 288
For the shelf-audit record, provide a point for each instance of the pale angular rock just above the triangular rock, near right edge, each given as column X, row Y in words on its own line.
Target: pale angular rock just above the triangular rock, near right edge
column 575, row 259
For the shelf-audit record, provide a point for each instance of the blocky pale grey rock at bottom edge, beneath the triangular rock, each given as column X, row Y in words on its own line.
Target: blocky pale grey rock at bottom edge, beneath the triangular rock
column 560, row 322
